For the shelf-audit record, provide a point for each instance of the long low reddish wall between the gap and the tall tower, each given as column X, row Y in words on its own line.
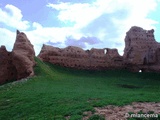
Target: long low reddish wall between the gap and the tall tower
column 76, row 57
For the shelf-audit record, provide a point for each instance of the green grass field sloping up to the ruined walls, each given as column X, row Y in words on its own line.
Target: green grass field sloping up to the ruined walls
column 56, row 92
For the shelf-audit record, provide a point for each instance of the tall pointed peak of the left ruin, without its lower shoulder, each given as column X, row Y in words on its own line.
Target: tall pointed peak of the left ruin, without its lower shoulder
column 23, row 56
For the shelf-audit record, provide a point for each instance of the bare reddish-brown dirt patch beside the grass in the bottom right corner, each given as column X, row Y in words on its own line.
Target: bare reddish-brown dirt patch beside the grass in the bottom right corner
column 122, row 113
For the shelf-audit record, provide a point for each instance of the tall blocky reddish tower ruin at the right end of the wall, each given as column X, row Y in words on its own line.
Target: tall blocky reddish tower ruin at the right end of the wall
column 141, row 52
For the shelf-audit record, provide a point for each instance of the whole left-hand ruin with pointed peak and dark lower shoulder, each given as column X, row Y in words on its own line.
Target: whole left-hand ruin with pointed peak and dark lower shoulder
column 18, row 63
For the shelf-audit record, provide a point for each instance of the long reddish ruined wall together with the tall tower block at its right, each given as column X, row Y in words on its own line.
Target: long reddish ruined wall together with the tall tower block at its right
column 141, row 52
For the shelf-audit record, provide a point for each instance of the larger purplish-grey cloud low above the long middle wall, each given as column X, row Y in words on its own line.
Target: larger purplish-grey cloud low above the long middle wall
column 82, row 42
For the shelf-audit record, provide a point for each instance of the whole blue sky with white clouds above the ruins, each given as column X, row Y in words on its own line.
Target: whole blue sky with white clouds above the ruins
column 82, row 23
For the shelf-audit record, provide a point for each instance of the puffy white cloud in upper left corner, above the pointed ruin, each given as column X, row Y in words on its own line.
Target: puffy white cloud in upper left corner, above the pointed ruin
column 12, row 17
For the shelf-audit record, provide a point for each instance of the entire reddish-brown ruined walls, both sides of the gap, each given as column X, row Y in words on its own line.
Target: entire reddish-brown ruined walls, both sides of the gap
column 141, row 53
